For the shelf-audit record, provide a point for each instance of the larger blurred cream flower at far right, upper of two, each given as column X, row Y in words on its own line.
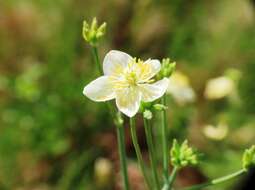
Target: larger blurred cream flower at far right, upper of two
column 219, row 88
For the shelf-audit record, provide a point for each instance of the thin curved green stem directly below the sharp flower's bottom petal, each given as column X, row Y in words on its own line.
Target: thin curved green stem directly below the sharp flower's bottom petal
column 138, row 151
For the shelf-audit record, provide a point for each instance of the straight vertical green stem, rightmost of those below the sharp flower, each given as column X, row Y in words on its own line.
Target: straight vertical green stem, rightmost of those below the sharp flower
column 164, row 141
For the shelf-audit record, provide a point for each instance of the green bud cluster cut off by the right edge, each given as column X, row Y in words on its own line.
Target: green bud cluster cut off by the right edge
column 249, row 158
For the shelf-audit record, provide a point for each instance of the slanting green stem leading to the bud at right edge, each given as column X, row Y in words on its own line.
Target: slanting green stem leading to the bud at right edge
column 216, row 181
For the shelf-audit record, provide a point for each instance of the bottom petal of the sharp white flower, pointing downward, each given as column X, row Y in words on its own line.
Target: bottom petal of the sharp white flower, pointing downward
column 128, row 101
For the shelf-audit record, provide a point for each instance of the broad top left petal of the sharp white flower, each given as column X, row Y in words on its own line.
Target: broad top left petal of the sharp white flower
column 114, row 61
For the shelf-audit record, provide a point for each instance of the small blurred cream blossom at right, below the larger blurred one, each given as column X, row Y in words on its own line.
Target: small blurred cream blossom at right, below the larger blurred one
column 216, row 133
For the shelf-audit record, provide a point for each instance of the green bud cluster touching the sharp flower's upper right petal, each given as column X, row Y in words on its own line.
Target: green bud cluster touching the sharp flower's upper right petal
column 167, row 68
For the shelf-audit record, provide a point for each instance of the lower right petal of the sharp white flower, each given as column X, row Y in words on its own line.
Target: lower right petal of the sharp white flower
column 151, row 92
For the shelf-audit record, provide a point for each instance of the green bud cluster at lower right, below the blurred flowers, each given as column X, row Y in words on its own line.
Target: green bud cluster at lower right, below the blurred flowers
column 182, row 155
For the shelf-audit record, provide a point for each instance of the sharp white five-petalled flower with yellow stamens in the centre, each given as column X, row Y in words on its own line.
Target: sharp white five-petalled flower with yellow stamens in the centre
column 128, row 80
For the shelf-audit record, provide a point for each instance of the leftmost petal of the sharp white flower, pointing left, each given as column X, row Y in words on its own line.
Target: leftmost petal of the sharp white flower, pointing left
column 99, row 90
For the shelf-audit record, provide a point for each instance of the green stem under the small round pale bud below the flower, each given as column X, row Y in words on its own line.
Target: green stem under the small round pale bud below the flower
column 149, row 139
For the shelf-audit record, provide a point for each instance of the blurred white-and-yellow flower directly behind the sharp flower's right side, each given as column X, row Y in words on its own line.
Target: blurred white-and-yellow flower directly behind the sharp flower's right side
column 180, row 88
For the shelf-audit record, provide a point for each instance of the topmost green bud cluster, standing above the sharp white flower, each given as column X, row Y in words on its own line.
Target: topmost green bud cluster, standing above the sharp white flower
column 92, row 33
